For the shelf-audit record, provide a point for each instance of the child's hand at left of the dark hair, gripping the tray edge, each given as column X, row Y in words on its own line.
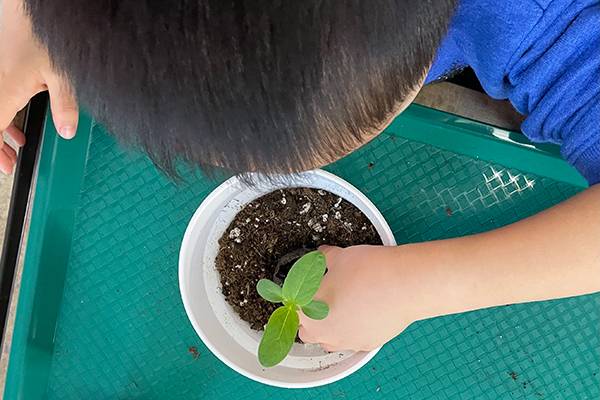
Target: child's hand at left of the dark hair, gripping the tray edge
column 25, row 70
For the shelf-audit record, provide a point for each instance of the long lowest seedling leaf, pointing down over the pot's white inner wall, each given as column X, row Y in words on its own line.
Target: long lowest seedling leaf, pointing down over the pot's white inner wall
column 279, row 336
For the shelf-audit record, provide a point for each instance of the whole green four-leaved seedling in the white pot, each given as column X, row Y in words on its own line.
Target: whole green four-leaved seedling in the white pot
column 299, row 288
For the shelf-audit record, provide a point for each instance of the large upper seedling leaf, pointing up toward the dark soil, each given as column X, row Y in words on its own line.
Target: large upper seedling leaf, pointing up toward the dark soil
column 304, row 278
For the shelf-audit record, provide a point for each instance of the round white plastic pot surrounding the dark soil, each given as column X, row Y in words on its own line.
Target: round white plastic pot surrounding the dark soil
column 220, row 328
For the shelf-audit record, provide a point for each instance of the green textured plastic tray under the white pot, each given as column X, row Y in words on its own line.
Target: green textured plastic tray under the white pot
column 100, row 317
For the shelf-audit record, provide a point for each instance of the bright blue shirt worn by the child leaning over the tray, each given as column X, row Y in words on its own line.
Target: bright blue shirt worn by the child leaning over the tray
column 542, row 55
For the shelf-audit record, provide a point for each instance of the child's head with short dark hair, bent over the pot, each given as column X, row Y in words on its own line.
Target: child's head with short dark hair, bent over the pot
column 264, row 85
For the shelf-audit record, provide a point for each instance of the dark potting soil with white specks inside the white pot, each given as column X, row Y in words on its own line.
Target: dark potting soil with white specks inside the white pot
column 272, row 232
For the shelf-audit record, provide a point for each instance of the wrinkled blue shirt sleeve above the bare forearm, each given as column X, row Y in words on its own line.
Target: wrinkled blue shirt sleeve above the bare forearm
column 555, row 81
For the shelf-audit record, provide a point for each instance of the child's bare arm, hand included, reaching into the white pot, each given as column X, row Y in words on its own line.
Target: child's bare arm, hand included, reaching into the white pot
column 375, row 292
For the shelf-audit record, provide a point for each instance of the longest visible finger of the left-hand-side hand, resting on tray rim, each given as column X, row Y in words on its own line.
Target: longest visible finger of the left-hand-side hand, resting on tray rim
column 65, row 111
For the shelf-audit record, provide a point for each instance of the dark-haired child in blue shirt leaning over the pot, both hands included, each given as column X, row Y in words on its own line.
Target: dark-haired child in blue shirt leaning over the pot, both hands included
column 283, row 87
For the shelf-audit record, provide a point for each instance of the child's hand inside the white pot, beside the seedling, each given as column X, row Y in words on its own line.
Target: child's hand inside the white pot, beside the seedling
column 363, row 291
